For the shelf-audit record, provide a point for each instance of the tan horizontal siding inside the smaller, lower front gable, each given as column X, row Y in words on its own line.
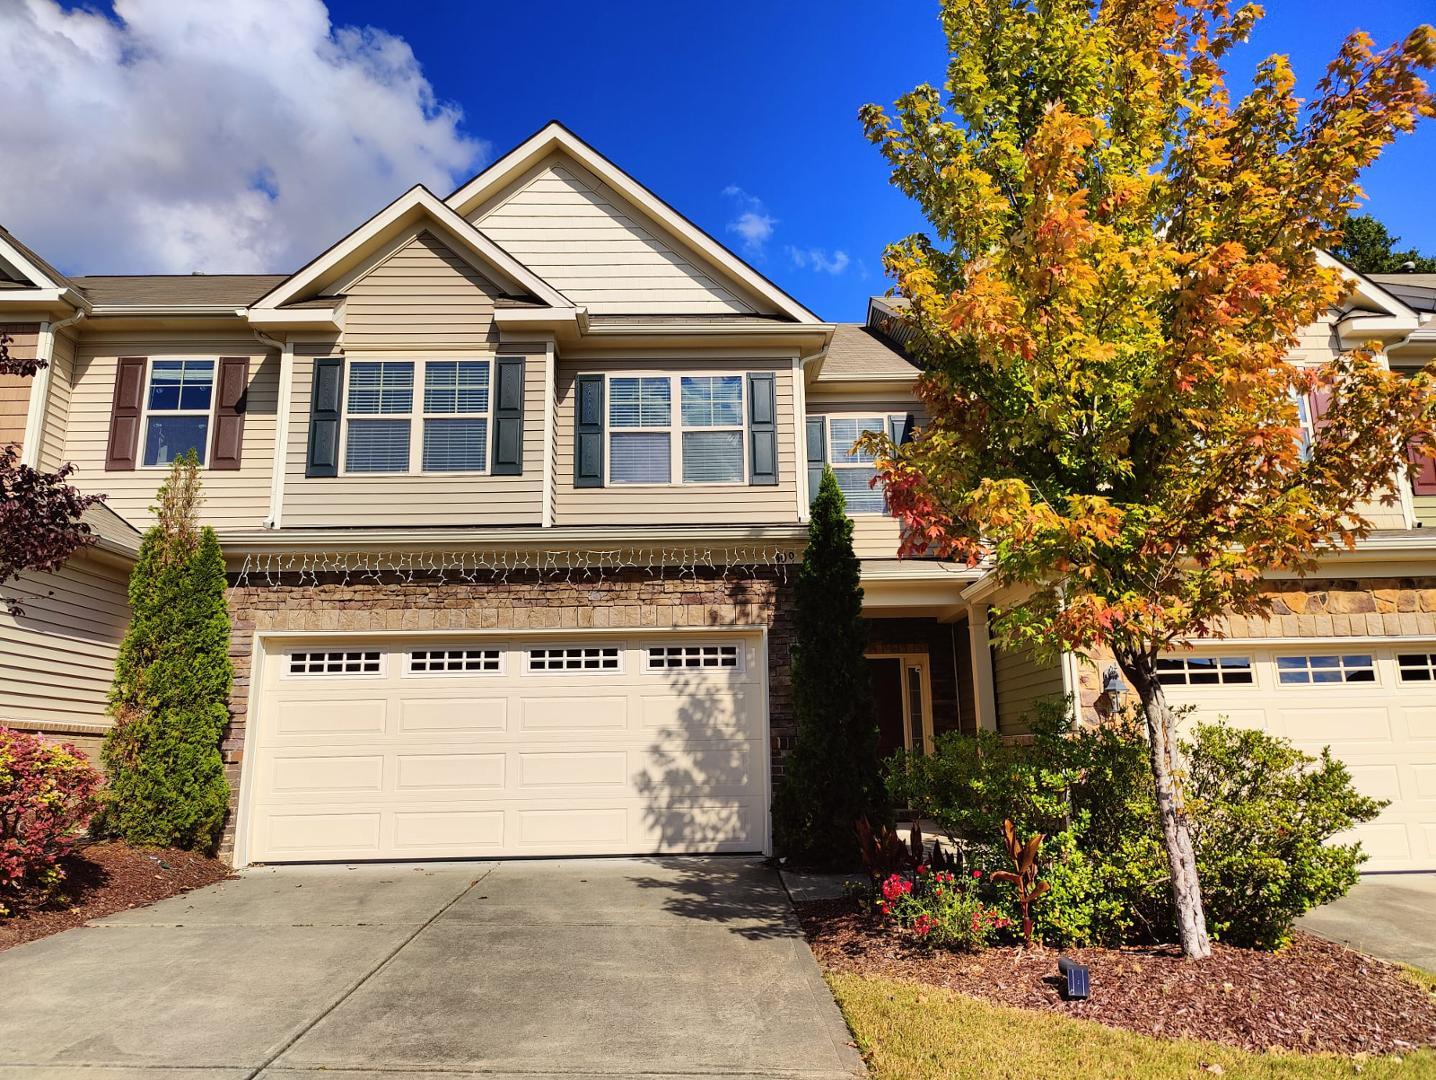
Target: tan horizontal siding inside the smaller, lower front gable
column 426, row 298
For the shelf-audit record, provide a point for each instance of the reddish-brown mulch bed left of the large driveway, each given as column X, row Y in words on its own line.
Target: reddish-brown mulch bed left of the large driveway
column 110, row 877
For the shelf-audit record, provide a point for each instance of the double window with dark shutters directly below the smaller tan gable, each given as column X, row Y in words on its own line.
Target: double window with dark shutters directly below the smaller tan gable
column 388, row 427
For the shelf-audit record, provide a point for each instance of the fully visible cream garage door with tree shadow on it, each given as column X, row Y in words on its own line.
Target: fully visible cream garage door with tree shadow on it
column 420, row 748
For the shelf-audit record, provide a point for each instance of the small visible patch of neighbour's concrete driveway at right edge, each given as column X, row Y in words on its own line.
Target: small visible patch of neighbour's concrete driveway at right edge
column 1388, row 916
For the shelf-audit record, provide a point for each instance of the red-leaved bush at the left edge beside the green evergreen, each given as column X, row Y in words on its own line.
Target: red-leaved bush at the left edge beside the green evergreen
column 48, row 795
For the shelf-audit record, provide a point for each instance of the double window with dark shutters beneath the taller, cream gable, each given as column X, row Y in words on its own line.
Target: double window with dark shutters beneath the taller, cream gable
column 704, row 446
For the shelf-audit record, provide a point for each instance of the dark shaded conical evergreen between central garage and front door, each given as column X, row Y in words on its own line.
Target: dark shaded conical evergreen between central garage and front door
column 832, row 778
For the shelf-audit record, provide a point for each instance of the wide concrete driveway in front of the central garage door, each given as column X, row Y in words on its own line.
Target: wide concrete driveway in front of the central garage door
column 582, row 969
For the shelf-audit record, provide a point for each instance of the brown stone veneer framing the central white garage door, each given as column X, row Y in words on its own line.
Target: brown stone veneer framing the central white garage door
column 522, row 604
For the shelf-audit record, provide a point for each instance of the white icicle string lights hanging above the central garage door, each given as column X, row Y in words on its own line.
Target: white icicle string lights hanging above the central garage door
column 500, row 567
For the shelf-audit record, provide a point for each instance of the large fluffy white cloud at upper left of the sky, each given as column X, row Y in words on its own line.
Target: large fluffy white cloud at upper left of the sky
column 220, row 137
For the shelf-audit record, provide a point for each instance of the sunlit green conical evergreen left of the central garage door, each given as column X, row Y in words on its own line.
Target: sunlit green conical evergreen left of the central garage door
column 170, row 699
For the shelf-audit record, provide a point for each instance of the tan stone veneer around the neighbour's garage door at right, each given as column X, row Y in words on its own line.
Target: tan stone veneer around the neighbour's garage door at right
column 1319, row 608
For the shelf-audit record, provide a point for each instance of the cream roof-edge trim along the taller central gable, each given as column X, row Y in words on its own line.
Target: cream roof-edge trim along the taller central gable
column 555, row 139
